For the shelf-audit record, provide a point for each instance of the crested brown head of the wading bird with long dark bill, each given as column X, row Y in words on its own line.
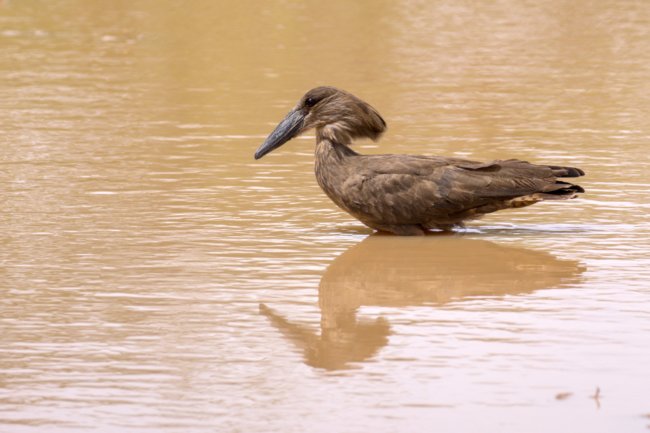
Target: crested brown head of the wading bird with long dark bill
column 337, row 115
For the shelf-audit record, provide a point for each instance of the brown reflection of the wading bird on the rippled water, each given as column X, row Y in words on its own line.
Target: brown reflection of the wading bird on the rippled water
column 398, row 271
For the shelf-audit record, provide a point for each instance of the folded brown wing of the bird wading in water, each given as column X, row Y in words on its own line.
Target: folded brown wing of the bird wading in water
column 401, row 188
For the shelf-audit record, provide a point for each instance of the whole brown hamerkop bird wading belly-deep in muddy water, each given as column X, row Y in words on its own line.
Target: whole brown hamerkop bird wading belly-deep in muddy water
column 408, row 194
